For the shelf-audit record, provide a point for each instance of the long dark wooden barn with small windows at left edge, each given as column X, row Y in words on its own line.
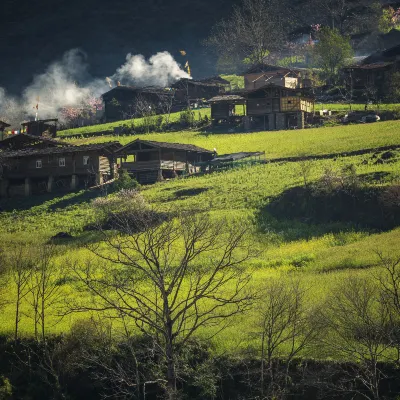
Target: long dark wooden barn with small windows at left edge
column 32, row 165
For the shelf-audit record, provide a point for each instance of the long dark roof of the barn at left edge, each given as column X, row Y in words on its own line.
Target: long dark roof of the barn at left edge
column 105, row 148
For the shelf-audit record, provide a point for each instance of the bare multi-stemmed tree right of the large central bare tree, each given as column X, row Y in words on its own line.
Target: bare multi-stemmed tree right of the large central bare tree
column 285, row 329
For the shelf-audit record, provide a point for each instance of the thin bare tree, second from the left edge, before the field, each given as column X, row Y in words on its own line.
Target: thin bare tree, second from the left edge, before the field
column 44, row 287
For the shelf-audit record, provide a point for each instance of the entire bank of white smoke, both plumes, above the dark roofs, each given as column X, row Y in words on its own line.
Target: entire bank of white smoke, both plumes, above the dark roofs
column 67, row 83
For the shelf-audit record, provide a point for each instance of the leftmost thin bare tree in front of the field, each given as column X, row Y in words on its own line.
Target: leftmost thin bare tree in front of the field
column 20, row 265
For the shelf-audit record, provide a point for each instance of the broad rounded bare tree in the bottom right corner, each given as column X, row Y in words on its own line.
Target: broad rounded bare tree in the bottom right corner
column 358, row 322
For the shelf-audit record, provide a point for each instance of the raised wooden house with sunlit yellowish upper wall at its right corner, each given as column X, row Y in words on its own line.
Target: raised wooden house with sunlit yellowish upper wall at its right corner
column 273, row 107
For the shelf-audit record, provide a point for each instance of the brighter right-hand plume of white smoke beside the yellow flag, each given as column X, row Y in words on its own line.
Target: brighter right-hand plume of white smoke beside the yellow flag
column 160, row 70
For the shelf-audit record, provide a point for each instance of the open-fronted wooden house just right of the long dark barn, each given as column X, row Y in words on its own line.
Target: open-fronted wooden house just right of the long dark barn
column 148, row 161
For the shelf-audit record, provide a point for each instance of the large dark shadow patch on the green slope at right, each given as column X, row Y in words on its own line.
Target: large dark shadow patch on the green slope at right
column 303, row 213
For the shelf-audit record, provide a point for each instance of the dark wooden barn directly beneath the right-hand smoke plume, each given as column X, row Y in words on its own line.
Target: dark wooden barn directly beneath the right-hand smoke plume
column 124, row 102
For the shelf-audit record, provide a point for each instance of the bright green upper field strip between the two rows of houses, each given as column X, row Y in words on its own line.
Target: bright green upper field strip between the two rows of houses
column 281, row 143
